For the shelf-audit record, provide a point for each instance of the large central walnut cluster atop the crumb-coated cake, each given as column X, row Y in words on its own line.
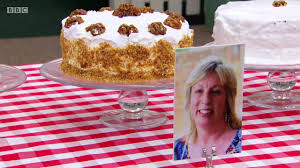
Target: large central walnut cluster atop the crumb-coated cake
column 127, row 10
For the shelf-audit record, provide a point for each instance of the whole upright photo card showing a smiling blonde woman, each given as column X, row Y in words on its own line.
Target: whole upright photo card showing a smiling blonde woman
column 208, row 101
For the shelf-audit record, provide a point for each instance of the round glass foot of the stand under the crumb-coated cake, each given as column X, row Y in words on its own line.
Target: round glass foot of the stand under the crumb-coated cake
column 120, row 119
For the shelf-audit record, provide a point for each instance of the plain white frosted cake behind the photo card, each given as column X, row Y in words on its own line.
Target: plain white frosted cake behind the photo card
column 271, row 34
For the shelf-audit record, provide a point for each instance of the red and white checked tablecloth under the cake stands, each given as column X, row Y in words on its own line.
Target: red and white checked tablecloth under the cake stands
column 48, row 124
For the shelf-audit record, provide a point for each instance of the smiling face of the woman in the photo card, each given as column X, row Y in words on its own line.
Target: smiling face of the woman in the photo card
column 208, row 100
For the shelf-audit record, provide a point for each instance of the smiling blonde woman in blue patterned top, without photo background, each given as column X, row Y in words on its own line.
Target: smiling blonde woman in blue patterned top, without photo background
column 209, row 104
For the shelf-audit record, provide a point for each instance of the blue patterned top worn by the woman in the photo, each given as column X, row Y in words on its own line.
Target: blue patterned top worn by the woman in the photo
column 181, row 149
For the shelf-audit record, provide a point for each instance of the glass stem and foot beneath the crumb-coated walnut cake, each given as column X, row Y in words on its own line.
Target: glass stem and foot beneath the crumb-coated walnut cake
column 132, row 114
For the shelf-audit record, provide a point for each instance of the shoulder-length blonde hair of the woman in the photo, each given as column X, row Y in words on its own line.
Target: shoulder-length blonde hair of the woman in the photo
column 229, row 82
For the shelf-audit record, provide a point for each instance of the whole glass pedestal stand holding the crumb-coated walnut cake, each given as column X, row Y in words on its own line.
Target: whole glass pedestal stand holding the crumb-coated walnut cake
column 133, row 98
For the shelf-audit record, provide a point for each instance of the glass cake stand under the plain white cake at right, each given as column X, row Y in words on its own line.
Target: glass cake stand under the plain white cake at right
column 281, row 79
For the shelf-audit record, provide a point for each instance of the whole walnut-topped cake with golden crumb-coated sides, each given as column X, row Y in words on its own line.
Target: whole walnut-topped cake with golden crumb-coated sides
column 125, row 49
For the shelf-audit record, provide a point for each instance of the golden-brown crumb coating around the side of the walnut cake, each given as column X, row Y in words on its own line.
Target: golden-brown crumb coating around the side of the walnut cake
column 134, row 62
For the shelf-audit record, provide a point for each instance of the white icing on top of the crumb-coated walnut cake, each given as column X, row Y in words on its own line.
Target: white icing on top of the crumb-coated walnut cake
column 112, row 24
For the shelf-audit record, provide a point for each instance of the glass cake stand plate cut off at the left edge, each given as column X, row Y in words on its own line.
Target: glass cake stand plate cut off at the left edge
column 10, row 77
